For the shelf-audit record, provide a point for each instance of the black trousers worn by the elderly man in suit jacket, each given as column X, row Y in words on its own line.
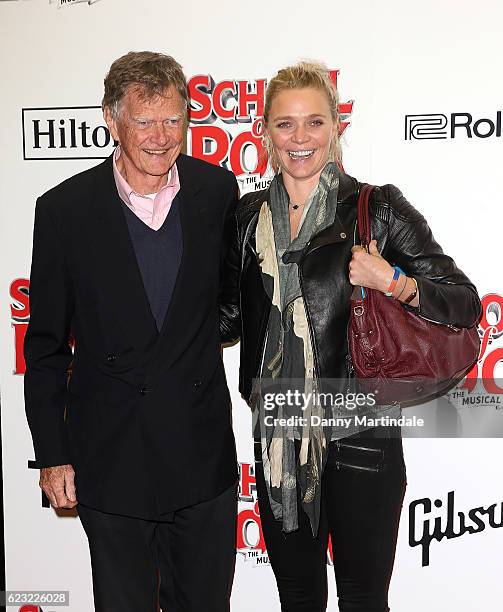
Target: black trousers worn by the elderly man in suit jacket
column 185, row 564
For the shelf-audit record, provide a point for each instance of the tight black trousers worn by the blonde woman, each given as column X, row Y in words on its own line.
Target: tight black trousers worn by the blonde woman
column 362, row 495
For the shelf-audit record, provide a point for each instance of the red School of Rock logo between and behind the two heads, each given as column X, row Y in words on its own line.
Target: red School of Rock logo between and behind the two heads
column 227, row 126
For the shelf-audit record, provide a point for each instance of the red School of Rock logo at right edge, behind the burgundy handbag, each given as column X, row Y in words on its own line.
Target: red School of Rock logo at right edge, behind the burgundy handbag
column 483, row 385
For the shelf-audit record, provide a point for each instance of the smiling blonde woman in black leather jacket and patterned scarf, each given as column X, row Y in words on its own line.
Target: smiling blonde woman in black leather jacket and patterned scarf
column 297, row 266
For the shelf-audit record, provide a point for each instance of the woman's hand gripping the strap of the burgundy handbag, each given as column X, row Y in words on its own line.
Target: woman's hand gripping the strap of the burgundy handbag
column 370, row 269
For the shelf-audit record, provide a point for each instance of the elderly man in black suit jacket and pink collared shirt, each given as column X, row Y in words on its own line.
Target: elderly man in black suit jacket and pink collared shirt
column 129, row 259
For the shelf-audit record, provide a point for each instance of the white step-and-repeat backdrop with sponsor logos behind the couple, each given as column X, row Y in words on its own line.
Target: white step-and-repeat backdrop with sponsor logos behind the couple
column 422, row 99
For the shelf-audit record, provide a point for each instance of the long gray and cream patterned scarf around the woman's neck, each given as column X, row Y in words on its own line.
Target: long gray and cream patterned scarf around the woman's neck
column 288, row 361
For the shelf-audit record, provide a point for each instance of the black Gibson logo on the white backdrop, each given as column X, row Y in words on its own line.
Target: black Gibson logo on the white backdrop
column 445, row 525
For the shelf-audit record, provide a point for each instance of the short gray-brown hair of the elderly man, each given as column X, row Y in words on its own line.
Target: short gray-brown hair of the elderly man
column 151, row 72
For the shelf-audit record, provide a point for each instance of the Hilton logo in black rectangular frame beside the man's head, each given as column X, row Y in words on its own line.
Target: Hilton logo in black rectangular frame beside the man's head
column 74, row 132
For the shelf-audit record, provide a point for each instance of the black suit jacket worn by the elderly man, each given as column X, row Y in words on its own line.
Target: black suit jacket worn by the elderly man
column 145, row 415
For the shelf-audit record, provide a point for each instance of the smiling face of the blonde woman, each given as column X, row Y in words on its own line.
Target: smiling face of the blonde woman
column 301, row 129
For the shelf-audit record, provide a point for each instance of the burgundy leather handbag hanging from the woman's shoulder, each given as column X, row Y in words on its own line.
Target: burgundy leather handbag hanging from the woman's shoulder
column 397, row 354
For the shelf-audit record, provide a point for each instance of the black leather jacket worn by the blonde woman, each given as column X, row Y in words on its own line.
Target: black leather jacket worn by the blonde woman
column 403, row 238
